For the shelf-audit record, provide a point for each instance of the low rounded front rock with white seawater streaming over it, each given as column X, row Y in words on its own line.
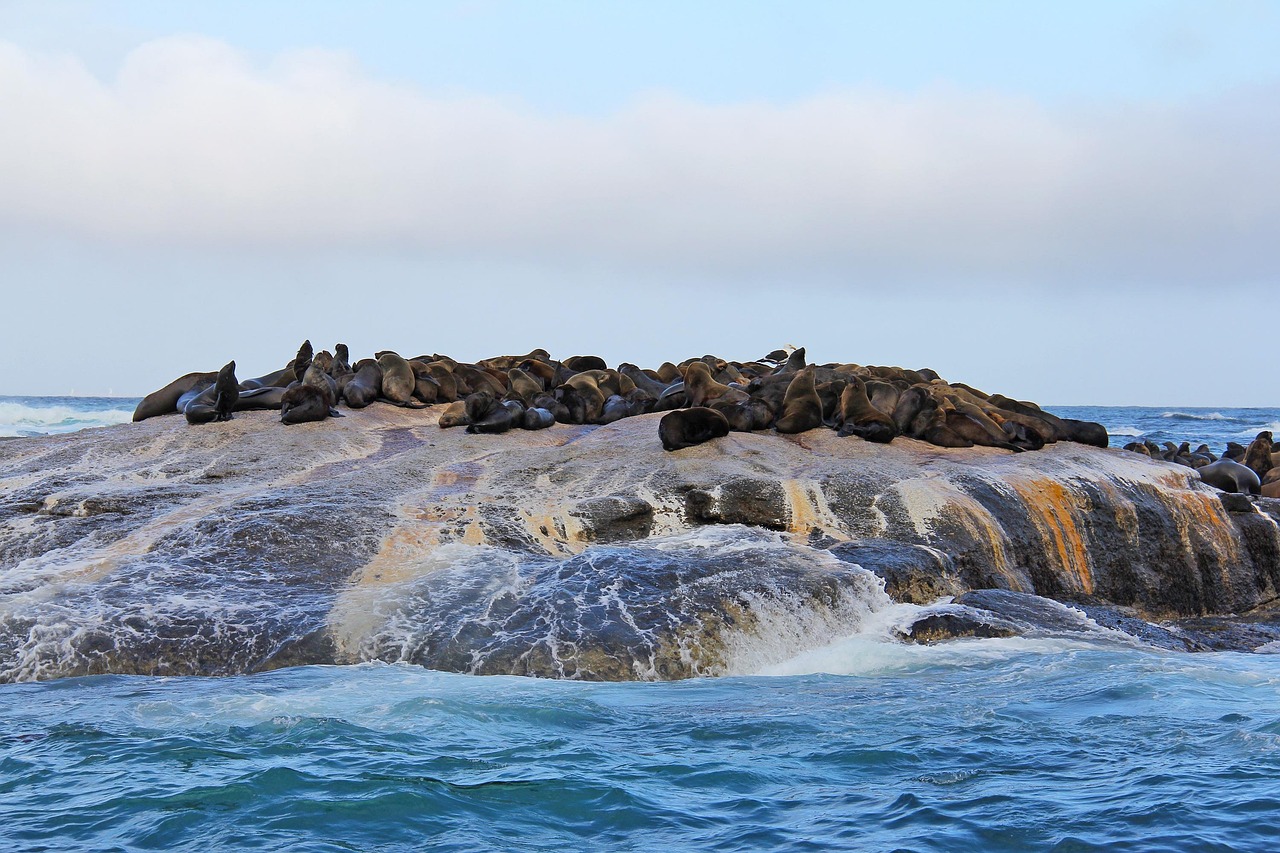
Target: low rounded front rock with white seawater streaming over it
column 711, row 601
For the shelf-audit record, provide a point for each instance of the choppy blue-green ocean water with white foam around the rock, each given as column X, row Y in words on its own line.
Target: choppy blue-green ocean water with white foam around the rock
column 849, row 741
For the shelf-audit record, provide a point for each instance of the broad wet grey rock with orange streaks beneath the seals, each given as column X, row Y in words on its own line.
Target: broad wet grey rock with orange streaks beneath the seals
column 159, row 548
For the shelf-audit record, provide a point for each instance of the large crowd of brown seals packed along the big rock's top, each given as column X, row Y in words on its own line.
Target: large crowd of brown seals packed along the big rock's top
column 705, row 398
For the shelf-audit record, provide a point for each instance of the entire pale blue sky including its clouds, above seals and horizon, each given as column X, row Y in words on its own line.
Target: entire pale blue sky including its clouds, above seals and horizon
column 1066, row 203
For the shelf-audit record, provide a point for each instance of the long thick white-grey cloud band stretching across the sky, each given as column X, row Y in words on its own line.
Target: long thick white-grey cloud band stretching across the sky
column 193, row 144
